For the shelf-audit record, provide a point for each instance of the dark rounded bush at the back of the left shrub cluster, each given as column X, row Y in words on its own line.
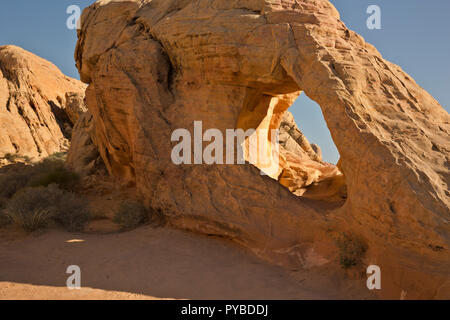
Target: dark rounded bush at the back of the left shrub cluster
column 52, row 171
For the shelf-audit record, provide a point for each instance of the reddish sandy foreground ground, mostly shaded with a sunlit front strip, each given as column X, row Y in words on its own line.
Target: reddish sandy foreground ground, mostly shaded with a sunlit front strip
column 145, row 264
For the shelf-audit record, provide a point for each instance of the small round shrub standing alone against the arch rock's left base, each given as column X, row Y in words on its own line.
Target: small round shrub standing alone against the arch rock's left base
column 130, row 215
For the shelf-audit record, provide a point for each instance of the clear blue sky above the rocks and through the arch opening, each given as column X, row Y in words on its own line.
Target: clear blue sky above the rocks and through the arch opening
column 415, row 34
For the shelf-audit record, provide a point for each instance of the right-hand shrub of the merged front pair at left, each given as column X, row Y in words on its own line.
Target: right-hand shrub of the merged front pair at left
column 72, row 212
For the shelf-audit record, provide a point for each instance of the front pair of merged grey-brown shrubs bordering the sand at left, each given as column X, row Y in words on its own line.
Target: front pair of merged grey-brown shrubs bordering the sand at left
column 35, row 208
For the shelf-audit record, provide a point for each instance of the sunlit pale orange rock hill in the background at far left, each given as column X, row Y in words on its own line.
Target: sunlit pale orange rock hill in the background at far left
column 33, row 102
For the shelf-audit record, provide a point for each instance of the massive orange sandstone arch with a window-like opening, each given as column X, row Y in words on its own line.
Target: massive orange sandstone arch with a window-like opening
column 156, row 66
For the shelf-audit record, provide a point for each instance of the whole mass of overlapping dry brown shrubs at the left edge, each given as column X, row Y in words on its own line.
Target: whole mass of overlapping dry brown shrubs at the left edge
column 36, row 195
